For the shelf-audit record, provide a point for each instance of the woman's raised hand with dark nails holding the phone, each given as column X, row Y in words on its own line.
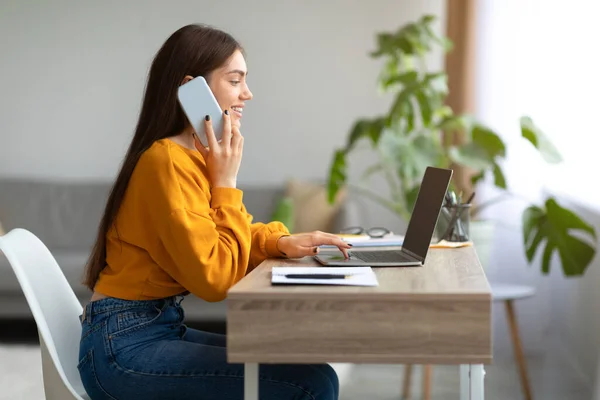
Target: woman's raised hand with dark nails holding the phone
column 222, row 158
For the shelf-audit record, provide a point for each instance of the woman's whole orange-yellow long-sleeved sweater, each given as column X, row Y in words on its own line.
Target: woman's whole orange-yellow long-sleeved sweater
column 174, row 233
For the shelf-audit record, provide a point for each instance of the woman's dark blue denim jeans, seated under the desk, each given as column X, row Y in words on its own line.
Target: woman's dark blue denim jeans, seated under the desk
column 142, row 350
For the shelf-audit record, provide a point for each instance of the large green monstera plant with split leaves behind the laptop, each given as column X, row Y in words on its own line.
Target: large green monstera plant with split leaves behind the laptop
column 419, row 129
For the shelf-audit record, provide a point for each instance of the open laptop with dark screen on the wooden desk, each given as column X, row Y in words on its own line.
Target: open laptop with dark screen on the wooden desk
column 418, row 234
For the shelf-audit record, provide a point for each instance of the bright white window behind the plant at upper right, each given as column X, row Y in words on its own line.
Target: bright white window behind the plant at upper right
column 542, row 59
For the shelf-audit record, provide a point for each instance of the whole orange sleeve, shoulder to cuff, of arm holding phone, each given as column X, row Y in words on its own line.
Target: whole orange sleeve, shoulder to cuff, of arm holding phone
column 203, row 235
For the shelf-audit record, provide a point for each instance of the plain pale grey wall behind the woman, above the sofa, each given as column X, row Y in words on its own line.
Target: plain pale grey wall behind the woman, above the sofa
column 73, row 73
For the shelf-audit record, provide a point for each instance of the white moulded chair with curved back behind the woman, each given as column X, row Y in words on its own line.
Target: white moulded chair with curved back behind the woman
column 55, row 309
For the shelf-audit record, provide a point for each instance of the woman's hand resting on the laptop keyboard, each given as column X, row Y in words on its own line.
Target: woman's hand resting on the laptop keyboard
column 307, row 244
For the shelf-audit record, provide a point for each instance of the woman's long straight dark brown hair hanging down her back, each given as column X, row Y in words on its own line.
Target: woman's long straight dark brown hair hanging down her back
column 194, row 50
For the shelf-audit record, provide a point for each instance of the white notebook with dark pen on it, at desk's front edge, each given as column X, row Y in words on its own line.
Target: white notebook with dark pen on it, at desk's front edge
column 344, row 276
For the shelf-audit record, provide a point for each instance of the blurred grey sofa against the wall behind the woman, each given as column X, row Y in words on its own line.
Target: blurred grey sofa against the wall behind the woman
column 65, row 216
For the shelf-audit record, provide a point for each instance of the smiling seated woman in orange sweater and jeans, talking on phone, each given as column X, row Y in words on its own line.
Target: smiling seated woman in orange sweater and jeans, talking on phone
column 175, row 224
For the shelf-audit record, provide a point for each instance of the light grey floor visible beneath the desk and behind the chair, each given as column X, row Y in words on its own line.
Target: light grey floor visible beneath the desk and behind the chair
column 20, row 376
